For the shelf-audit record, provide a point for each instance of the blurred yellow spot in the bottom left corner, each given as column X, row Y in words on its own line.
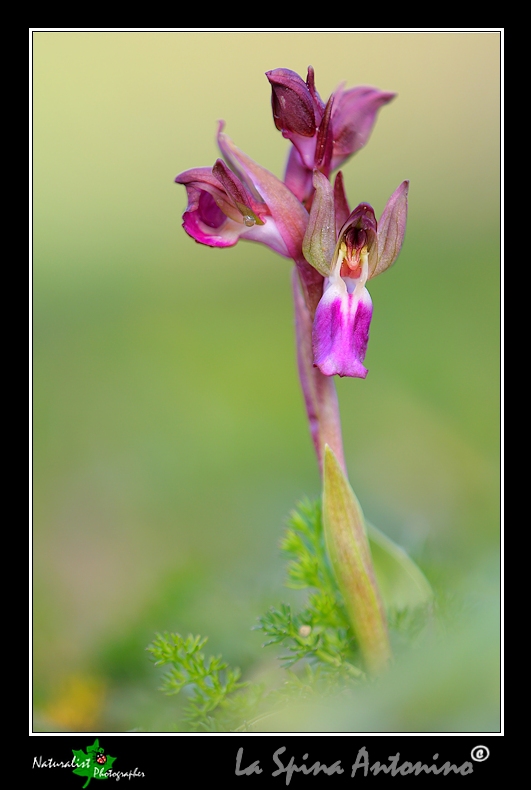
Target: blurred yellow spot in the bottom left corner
column 78, row 703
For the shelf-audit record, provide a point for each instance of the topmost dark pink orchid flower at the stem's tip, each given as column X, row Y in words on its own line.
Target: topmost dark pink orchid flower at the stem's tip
column 323, row 136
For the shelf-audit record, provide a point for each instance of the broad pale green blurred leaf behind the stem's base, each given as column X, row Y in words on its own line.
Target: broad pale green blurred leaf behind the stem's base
column 401, row 582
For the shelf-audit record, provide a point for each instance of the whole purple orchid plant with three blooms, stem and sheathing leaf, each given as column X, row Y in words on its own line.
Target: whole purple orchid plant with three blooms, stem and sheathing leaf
column 335, row 252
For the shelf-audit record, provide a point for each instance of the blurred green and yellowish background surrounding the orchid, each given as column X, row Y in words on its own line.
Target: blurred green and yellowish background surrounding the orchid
column 170, row 439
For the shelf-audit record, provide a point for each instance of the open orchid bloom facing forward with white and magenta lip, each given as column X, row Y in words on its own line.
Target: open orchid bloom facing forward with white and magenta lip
column 364, row 248
